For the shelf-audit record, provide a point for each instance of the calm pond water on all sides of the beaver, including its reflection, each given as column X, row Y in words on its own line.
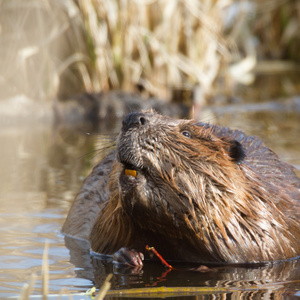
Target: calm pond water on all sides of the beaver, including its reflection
column 41, row 170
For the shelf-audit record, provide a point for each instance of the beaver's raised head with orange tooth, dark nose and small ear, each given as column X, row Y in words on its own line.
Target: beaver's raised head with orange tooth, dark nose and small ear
column 176, row 166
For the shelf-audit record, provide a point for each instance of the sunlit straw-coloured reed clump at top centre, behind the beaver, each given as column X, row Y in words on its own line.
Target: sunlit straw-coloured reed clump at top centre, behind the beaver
column 157, row 44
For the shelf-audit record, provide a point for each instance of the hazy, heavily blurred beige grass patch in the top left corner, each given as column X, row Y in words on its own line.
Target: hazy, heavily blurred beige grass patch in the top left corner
column 41, row 42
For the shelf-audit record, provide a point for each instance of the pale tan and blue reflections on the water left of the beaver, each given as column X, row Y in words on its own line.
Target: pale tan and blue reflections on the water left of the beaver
column 41, row 170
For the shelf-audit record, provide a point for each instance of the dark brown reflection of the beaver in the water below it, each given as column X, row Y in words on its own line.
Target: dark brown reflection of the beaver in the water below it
column 272, row 279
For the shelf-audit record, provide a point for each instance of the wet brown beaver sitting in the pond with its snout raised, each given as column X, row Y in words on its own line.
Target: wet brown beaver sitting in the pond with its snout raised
column 196, row 192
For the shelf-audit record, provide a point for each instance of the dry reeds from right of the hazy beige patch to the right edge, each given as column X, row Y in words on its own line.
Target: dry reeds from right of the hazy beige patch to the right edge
column 165, row 45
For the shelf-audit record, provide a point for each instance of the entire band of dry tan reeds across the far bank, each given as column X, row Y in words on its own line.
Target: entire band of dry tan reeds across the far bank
column 64, row 47
